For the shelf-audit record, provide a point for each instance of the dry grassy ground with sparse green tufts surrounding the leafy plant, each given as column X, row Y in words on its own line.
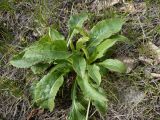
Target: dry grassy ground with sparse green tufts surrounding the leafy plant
column 132, row 96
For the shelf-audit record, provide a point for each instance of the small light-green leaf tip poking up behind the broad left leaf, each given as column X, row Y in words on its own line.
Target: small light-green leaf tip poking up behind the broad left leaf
column 55, row 35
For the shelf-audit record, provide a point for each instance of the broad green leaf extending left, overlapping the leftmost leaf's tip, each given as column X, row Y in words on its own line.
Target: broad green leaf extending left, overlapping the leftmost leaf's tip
column 47, row 50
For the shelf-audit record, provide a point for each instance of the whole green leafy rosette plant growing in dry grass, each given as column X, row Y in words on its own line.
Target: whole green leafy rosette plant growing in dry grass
column 80, row 53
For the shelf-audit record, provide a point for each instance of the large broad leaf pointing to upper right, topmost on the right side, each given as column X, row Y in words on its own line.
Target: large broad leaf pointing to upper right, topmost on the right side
column 104, row 29
